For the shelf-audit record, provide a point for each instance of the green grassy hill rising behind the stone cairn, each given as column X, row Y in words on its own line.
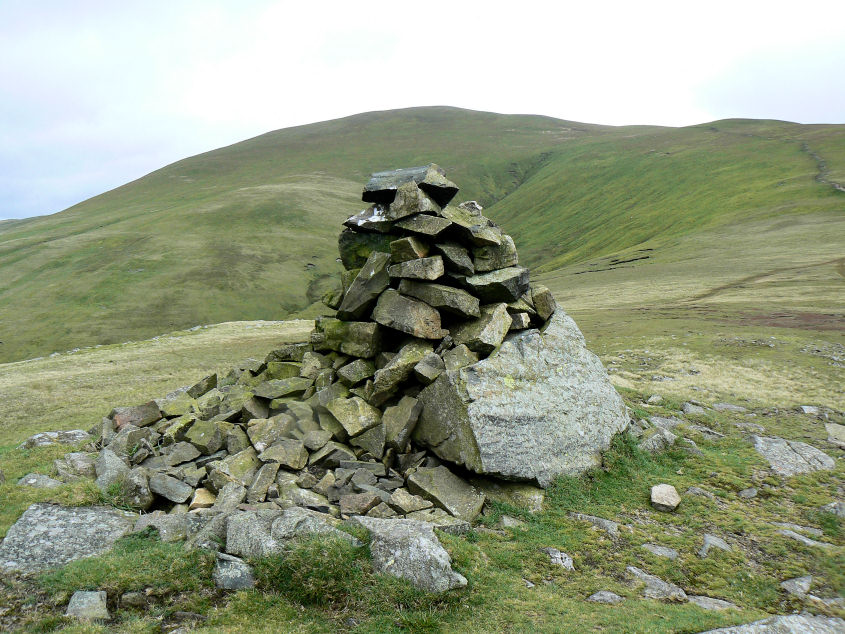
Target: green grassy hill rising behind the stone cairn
column 249, row 231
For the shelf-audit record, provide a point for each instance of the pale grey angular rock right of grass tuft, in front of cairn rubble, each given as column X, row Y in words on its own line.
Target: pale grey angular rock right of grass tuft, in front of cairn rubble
column 409, row 549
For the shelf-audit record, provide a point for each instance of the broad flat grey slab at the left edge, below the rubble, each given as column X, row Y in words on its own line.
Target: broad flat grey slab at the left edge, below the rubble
column 47, row 535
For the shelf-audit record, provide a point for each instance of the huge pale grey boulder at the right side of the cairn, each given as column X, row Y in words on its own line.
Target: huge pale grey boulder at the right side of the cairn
column 541, row 406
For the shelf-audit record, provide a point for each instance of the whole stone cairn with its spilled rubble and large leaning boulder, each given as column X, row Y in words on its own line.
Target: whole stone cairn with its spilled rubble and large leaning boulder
column 445, row 374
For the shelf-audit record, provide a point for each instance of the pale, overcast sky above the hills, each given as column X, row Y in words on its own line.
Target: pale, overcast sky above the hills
column 94, row 94
